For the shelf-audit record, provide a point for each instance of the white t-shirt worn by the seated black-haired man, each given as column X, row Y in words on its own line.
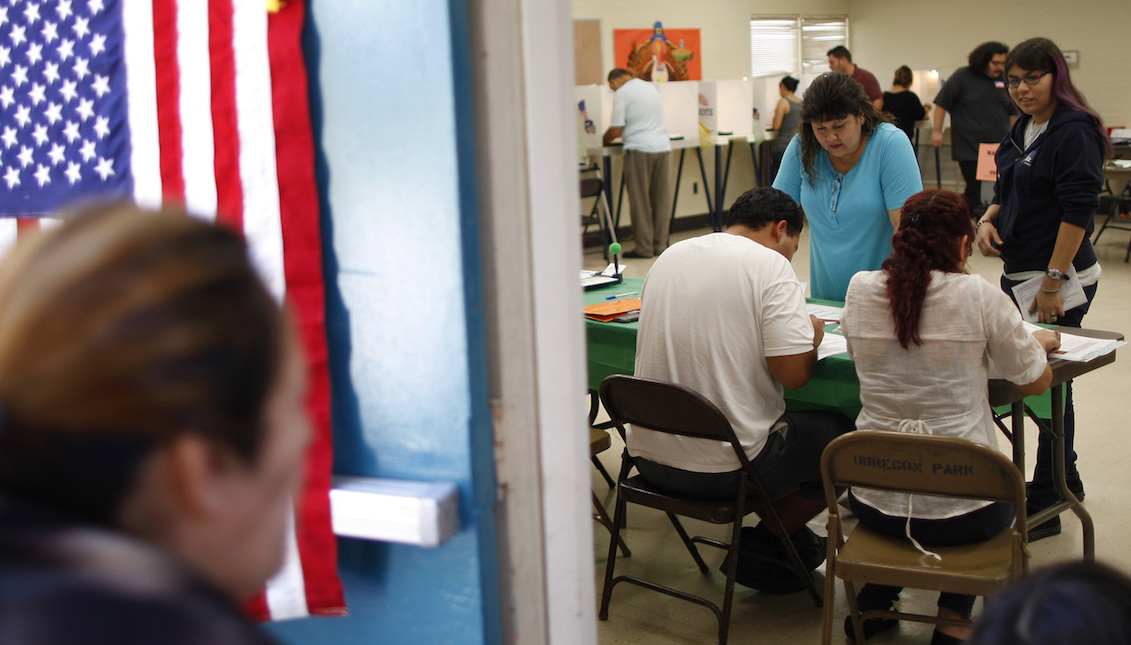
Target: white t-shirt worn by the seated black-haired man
column 714, row 308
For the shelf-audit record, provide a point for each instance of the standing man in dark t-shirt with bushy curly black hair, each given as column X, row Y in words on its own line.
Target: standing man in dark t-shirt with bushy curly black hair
column 980, row 114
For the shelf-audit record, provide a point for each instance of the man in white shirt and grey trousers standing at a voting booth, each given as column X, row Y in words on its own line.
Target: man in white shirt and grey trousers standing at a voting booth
column 638, row 117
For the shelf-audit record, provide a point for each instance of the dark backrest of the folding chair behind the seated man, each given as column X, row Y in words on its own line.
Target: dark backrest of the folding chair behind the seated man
column 667, row 408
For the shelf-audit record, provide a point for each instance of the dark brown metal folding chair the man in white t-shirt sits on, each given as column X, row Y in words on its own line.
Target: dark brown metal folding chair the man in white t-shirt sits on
column 677, row 410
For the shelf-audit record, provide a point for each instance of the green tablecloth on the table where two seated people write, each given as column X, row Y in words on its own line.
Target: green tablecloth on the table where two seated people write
column 834, row 386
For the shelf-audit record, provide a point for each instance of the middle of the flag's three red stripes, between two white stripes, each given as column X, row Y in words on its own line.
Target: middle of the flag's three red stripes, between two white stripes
column 226, row 127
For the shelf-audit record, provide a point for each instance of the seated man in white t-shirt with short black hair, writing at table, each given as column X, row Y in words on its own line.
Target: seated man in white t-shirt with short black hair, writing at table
column 724, row 315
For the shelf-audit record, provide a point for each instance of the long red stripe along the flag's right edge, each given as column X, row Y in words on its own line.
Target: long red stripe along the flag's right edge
column 306, row 293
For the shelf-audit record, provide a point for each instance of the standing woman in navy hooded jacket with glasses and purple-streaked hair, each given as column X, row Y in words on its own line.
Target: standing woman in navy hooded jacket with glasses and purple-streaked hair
column 1050, row 173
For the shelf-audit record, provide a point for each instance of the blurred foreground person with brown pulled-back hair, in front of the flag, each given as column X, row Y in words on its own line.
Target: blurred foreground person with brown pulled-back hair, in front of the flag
column 152, row 433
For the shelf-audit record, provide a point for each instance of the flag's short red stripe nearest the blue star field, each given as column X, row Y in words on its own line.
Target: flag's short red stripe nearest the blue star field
column 169, row 97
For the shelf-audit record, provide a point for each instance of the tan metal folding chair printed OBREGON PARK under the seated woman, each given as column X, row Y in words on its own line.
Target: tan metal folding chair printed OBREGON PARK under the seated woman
column 919, row 465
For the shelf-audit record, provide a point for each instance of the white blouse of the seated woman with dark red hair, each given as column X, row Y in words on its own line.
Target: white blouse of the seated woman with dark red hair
column 965, row 324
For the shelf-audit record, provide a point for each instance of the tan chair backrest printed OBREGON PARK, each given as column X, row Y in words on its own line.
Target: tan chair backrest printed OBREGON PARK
column 921, row 465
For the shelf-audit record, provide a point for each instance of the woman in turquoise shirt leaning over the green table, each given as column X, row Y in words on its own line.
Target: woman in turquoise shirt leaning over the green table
column 852, row 171
